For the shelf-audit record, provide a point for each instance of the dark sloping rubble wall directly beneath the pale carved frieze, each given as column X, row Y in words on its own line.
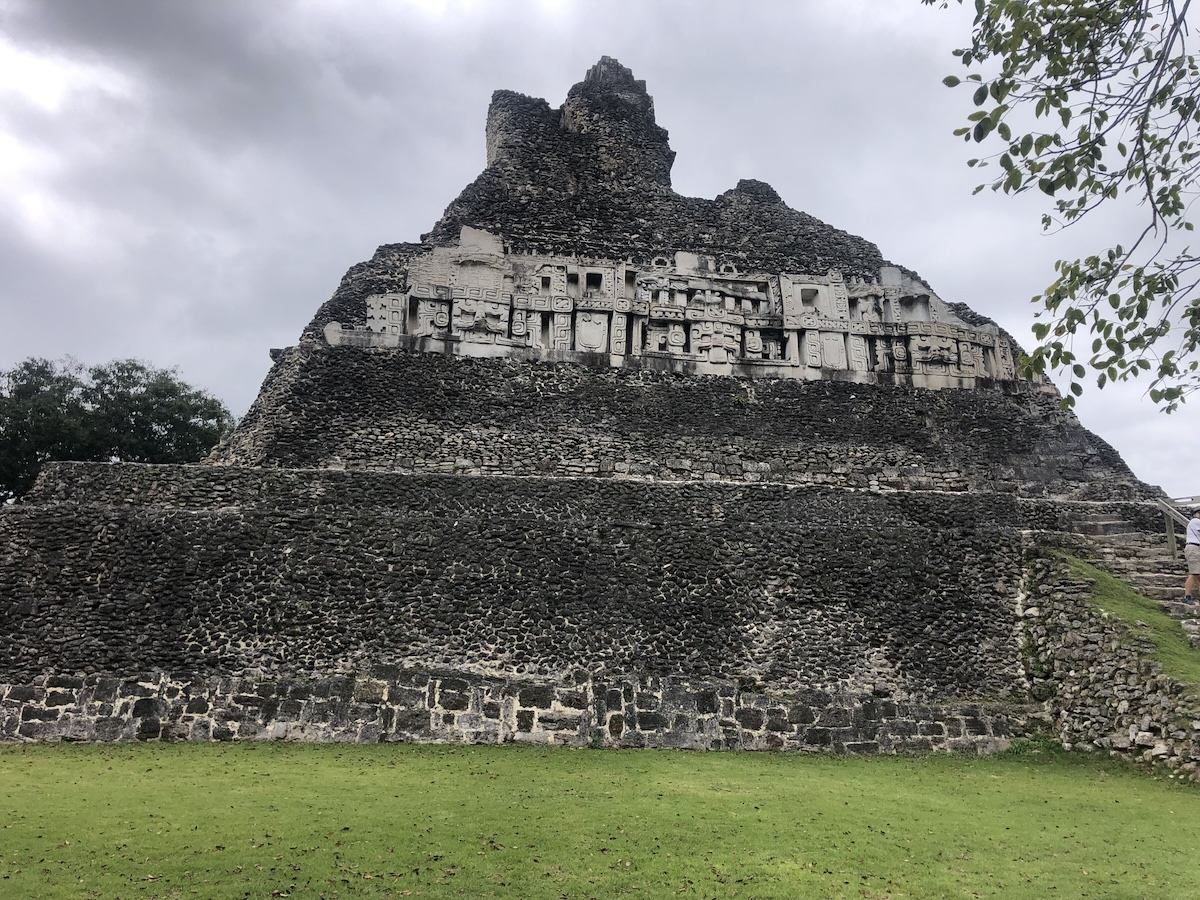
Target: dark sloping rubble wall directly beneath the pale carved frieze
column 393, row 411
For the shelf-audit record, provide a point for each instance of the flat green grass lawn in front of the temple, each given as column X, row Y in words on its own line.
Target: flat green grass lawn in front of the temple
column 338, row 821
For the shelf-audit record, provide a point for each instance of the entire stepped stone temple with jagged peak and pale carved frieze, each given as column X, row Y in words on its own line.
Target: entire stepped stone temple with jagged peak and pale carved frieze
column 596, row 464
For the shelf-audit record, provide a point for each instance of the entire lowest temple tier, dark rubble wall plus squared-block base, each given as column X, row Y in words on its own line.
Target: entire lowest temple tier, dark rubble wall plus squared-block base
column 212, row 604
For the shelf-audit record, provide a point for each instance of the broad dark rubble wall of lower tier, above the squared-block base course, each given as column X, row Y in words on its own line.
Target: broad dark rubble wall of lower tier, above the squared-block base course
column 219, row 572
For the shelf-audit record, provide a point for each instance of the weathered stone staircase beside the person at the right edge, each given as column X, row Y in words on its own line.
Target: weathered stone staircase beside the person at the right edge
column 1145, row 562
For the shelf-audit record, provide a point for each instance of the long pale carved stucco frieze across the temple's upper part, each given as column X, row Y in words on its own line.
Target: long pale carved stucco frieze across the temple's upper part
column 682, row 309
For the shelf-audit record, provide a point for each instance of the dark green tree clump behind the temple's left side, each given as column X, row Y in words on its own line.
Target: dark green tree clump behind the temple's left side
column 119, row 412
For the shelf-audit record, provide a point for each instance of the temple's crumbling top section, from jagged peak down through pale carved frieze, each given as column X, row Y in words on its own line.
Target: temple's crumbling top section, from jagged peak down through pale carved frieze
column 573, row 247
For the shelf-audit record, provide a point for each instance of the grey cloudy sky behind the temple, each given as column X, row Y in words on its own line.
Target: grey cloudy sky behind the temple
column 187, row 183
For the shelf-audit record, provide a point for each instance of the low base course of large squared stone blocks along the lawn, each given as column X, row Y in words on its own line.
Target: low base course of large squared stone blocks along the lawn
column 418, row 706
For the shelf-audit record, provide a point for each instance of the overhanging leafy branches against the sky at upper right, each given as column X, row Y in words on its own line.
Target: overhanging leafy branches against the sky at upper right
column 1090, row 101
